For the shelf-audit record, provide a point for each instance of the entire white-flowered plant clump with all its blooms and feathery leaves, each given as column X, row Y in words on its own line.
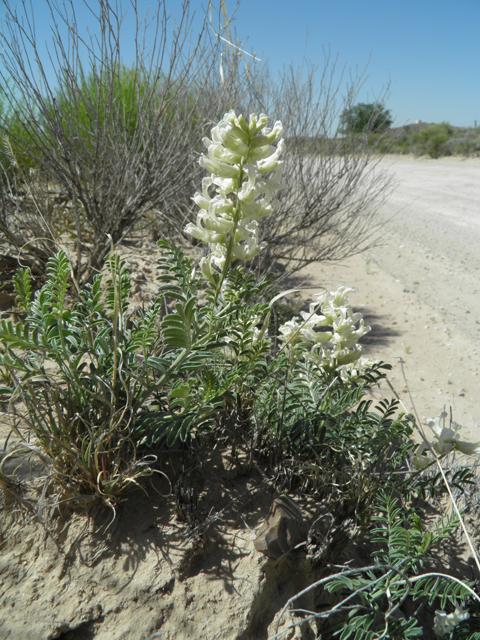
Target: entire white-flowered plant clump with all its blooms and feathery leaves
column 96, row 391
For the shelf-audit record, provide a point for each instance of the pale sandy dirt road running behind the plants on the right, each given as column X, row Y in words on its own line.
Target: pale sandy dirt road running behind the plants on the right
column 419, row 288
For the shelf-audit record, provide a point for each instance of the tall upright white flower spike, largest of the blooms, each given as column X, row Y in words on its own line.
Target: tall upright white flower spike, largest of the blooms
column 237, row 193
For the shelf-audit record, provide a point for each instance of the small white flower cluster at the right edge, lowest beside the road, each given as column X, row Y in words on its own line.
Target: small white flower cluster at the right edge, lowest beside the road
column 446, row 441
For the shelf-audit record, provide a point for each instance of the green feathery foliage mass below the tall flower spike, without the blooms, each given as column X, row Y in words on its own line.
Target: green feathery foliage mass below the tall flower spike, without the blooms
column 96, row 385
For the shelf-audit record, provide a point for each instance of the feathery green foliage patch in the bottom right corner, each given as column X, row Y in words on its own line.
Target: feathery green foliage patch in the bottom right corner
column 387, row 598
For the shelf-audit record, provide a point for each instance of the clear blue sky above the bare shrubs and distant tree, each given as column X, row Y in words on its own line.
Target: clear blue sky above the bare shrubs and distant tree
column 427, row 51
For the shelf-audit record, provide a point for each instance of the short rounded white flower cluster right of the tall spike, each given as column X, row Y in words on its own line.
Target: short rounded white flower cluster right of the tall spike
column 333, row 333
